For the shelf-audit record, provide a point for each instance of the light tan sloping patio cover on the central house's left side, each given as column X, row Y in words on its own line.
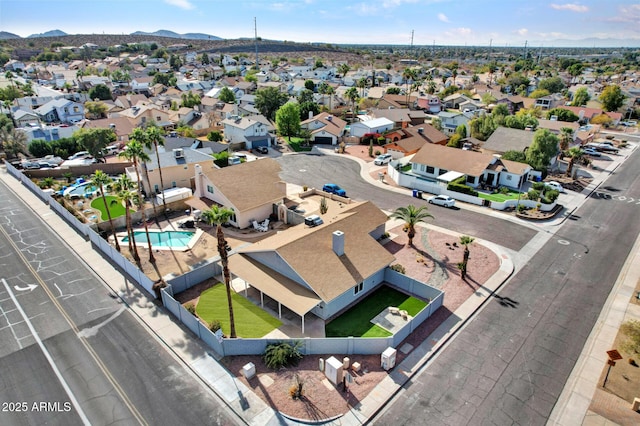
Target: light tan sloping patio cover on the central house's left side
column 275, row 285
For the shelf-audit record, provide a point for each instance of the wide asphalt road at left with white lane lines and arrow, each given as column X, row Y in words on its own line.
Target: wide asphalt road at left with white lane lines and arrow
column 72, row 354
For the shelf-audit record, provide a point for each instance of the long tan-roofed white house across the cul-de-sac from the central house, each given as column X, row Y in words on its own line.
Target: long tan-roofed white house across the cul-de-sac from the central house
column 434, row 161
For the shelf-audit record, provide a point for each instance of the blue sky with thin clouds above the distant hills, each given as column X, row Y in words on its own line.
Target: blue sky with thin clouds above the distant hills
column 449, row 22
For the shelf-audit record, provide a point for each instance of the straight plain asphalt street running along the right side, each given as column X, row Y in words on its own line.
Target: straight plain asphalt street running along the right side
column 510, row 363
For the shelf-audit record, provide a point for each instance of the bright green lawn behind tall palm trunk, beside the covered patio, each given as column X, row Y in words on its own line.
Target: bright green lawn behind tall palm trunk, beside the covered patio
column 251, row 321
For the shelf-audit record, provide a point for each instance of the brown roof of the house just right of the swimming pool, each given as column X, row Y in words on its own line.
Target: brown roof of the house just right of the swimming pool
column 250, row 184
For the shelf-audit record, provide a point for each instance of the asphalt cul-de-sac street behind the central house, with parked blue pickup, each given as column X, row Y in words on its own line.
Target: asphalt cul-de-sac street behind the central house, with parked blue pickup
column 316, row 170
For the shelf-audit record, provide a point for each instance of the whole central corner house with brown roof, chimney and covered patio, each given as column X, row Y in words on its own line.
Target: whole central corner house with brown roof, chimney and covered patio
column 322, row 269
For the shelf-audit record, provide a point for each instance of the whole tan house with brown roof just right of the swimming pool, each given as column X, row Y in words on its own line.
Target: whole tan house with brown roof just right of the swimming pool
column 250, row 189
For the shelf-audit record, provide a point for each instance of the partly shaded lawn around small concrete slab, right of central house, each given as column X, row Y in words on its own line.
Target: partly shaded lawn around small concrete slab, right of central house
column 356, row 321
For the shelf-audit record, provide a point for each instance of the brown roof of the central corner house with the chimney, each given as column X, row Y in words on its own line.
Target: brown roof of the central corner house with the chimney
column 309, row 251
